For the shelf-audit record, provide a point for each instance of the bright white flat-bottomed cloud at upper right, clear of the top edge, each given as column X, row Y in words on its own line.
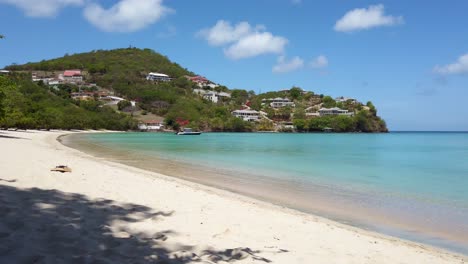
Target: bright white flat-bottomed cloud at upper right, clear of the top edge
column 366, row 18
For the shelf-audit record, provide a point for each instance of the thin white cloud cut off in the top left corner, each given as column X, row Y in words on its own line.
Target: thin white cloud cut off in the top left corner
column 42, row 8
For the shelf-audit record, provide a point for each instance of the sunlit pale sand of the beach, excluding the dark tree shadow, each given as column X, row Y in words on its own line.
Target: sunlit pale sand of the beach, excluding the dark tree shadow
column 203, row 217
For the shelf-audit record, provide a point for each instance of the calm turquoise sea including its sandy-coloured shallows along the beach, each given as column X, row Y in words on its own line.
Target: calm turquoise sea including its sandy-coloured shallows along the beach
column 411, row 185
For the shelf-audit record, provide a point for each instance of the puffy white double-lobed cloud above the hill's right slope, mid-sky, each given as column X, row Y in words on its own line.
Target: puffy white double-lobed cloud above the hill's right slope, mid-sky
column 243, row 40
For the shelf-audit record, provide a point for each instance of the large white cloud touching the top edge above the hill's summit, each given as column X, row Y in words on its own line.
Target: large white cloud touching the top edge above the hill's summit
column 126, row 15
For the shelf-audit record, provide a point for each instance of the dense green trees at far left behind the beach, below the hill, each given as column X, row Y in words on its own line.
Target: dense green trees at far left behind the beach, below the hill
column 27, row 105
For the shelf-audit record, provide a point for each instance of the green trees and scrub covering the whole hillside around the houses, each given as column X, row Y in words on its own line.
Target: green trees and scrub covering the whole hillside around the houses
column 124, row 70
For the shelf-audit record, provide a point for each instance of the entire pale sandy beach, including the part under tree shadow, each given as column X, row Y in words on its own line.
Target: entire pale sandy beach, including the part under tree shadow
column 104, row 212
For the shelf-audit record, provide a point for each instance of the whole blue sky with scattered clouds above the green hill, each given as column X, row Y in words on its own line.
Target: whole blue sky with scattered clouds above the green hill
column 408, row 57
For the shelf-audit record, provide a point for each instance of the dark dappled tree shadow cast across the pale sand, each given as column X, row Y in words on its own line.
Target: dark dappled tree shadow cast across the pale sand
column 49, row 226
